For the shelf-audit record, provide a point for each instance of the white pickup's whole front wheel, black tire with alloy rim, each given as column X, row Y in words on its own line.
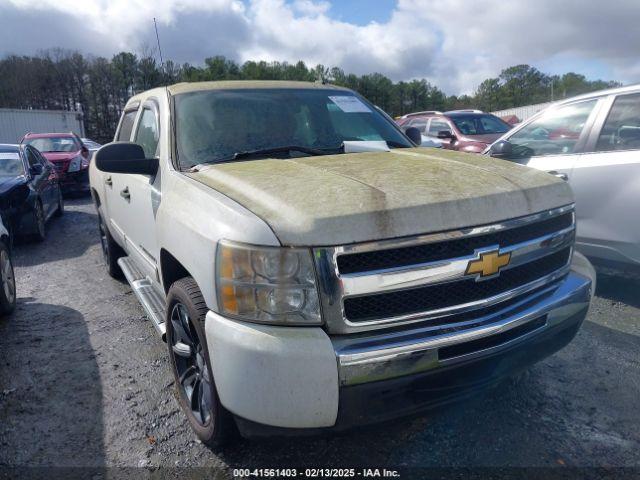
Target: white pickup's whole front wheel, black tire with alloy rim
column 191, row 365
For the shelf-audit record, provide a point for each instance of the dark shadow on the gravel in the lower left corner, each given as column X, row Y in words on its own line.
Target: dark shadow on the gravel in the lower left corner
column 50, row 390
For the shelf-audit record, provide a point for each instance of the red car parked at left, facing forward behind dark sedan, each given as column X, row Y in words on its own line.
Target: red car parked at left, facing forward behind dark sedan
column 69, row 156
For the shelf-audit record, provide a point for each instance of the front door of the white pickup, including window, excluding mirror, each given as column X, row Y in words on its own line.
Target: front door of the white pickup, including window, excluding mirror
column 140, row 196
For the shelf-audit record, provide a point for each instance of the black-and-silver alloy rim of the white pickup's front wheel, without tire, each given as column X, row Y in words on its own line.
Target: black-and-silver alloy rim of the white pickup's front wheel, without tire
column 193, row 373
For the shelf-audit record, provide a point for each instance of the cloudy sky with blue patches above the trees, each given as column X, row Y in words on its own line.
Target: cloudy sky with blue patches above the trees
column 453, row 43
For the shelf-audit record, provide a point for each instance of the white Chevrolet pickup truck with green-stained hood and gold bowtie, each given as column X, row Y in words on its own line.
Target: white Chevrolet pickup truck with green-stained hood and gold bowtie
column 310, row 269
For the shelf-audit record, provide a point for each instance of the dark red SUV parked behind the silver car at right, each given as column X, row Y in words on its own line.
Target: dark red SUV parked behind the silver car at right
column 463, row 130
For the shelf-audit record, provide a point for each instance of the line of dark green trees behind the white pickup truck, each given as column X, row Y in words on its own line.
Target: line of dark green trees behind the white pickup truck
column 100, row 87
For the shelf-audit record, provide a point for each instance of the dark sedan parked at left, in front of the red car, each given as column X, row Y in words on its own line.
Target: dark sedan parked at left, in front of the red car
column 29, row 191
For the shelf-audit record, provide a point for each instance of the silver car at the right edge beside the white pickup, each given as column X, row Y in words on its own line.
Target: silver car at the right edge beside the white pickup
column 593, row 141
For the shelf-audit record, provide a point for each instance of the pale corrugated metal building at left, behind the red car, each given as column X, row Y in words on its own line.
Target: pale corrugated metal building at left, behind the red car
column 14, row 123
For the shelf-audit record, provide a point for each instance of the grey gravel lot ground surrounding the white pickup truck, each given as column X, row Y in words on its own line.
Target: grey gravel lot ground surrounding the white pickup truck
column 85, row 381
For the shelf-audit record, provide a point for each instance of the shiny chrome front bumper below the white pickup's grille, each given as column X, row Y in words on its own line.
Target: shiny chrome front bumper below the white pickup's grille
column 370, row 358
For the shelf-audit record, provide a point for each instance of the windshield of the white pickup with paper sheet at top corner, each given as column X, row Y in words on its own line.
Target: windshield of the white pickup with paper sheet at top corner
column 214, row 125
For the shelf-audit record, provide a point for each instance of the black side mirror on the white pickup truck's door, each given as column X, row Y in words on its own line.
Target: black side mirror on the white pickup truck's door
column 125, row 157
